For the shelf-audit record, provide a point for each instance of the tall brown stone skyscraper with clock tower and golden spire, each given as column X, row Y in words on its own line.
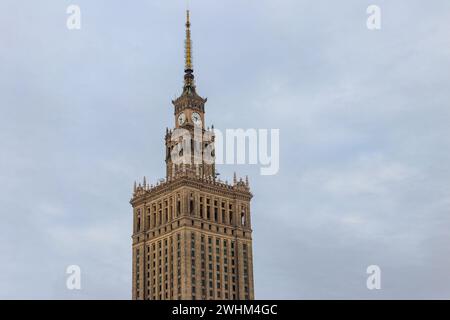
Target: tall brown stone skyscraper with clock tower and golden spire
column 192, row 236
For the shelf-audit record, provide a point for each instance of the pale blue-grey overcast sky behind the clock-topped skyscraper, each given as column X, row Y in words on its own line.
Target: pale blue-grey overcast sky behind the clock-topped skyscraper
column 364, row 131
